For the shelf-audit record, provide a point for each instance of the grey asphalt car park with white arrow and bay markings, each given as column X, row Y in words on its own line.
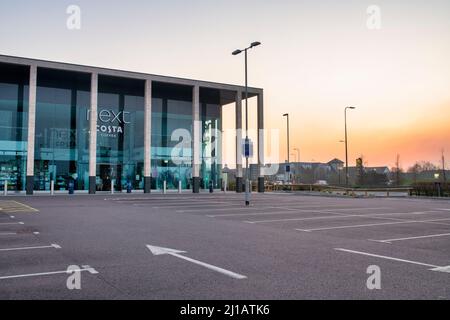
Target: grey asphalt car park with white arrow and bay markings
column 210, row 246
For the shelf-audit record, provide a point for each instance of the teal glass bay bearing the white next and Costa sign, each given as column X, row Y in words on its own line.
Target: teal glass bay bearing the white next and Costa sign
column 120, row 134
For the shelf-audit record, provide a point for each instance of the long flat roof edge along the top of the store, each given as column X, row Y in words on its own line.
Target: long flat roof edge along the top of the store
column 133, row 75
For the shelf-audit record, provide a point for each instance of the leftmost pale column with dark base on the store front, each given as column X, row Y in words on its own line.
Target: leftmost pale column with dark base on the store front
column 31, row 129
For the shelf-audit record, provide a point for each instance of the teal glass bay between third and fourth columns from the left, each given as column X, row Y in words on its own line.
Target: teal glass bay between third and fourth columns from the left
column 171, row 134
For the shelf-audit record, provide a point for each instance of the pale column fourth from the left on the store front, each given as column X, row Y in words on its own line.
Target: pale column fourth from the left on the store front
column 196, row 136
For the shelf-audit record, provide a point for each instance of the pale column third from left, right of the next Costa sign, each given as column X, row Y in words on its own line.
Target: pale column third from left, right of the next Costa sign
column 148, row 137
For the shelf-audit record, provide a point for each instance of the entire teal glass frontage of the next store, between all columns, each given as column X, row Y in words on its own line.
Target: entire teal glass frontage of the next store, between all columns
column 62, row 132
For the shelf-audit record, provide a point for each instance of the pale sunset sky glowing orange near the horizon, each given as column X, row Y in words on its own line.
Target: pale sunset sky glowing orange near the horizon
column 316, row 58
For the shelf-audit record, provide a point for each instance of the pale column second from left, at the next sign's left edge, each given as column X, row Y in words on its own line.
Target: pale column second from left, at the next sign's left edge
column 93, row 134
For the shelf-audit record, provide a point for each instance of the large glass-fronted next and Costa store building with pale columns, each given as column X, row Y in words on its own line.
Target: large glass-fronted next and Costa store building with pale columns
column 96, row 129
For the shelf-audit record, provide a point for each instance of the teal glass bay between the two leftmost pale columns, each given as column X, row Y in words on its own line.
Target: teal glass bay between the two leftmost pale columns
column 62, row 130
